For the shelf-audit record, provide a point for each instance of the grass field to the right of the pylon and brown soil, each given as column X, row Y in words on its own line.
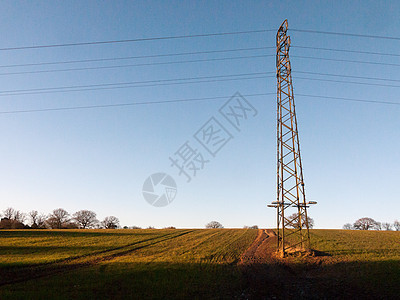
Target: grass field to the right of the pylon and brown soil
column 366, row 261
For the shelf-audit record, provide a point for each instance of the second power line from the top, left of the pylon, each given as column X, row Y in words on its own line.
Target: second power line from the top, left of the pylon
column 134, row 57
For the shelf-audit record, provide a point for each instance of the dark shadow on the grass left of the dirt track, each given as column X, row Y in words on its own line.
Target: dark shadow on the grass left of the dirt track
column 134, row 281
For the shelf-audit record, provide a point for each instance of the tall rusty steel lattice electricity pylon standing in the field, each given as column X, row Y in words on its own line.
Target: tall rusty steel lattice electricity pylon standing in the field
column 292, row 223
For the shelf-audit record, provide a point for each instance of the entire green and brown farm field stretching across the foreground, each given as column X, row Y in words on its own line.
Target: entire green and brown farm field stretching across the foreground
column 195, row 263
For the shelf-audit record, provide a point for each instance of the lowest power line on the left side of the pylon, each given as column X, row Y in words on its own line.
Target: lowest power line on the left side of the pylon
column 125, row 104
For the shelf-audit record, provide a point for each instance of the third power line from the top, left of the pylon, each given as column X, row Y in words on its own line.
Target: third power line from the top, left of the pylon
column 137, row 65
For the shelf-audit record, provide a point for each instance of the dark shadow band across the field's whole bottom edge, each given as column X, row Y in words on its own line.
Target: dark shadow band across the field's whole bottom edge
column 156, row 280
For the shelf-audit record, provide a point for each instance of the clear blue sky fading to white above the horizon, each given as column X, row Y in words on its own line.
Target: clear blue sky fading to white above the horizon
column 99, row 158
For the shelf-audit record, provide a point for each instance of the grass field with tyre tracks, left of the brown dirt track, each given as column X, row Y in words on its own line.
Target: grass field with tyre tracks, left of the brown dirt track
column 121, row 263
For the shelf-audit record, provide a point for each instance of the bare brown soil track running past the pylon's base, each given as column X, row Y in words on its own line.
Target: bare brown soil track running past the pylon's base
column 267, row 276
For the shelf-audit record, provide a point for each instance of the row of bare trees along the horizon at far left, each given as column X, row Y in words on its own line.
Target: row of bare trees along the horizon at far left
column 58, row 219
